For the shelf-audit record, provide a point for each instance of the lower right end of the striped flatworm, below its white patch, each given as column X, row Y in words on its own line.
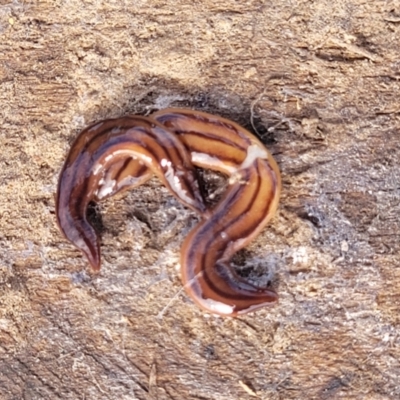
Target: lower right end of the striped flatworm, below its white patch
column 205, row 258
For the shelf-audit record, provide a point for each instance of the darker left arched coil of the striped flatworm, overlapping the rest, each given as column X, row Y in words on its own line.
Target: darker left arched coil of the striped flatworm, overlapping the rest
column 113, row 155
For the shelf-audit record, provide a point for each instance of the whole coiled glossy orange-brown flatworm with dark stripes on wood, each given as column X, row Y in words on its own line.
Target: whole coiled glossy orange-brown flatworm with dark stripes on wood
column 102, row 162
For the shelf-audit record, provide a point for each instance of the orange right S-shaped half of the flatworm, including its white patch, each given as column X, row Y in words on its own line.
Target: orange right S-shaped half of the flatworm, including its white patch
column 248, row 204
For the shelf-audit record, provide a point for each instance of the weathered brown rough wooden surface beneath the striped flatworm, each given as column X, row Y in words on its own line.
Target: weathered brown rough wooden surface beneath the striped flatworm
column 320, row 82
